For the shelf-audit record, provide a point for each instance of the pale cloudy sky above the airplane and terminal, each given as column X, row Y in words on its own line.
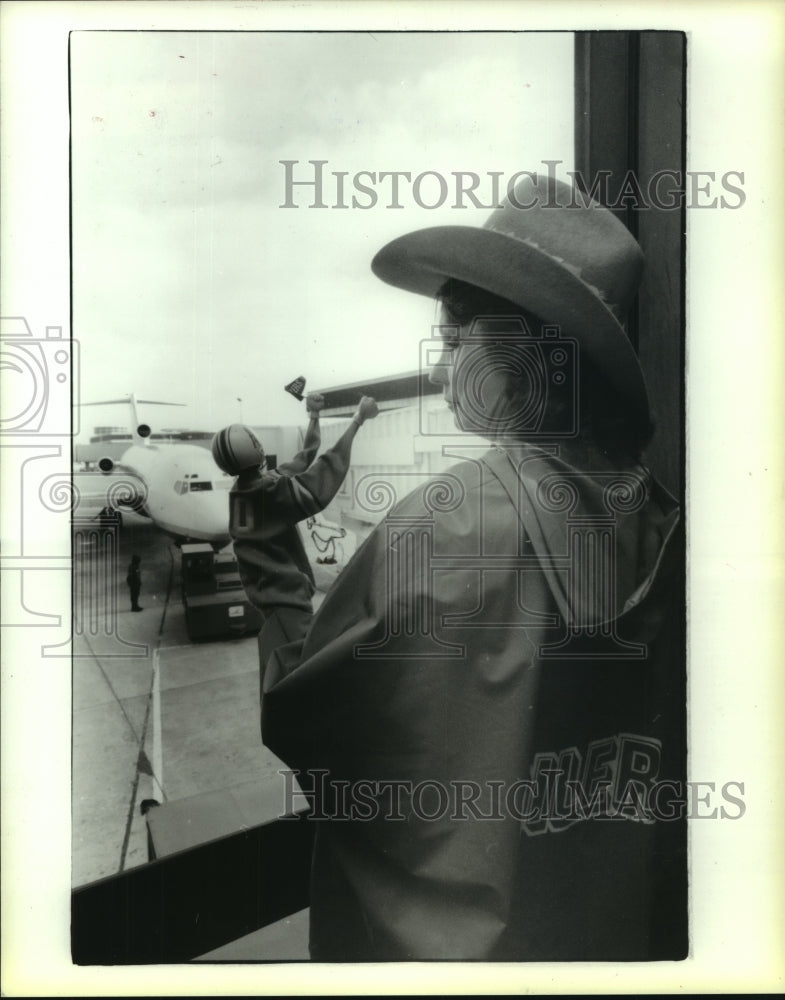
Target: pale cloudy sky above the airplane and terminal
column 191, row 282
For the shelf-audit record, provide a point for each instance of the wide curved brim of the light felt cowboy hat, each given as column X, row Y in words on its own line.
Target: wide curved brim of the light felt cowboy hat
column 424, row 260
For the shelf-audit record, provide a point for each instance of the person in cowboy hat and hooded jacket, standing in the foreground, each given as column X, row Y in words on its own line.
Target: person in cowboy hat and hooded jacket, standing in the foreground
column 483, row 713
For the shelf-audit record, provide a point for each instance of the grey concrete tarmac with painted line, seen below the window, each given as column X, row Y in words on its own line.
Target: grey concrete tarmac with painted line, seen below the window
column 157, row 717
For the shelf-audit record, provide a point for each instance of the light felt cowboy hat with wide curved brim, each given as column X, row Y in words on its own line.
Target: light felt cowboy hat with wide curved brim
column 549, row 249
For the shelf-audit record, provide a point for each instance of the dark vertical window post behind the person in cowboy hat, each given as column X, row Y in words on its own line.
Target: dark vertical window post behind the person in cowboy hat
column 630, row 105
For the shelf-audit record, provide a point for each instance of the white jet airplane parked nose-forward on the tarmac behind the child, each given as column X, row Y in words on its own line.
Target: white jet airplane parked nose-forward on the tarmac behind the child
column 184, row 492
